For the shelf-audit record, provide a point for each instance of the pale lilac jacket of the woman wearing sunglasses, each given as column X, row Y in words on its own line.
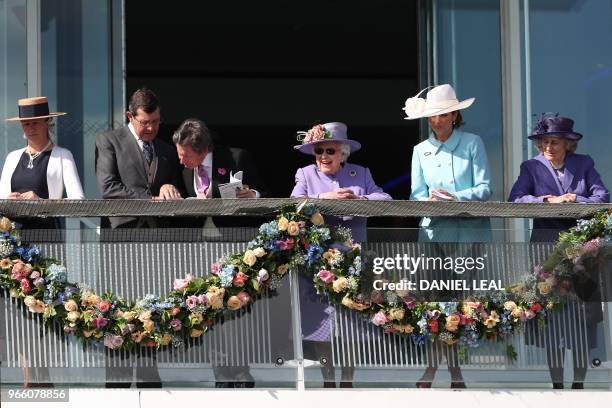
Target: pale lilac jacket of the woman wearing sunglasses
column 310, row 182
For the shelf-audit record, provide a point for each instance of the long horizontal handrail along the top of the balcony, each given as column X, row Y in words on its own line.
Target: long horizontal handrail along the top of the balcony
column 268, row 206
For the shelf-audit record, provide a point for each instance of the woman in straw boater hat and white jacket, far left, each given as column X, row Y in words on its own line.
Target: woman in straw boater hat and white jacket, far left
column 40, row 170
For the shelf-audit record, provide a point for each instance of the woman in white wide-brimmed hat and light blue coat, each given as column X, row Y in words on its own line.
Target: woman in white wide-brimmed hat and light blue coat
column 451, row 165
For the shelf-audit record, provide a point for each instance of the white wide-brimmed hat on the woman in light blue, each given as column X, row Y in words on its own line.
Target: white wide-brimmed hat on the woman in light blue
column 441, row 99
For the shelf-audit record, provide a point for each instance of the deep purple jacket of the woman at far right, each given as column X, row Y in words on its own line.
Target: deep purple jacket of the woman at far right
column 537, row 178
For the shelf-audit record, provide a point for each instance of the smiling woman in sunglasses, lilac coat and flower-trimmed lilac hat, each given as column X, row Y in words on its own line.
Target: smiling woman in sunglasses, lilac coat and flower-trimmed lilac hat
column 330, row 177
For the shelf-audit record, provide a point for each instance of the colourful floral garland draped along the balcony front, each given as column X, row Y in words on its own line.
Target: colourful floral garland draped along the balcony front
column 299, row 240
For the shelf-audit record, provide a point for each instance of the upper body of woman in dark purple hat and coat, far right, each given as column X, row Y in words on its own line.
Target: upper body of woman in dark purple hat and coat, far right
column 557, row 175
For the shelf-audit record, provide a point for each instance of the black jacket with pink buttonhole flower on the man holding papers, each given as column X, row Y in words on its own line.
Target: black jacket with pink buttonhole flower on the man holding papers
column 225, row 160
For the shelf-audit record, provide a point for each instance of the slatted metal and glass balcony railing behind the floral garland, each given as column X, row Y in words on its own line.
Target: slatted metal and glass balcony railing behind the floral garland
column 258, row 344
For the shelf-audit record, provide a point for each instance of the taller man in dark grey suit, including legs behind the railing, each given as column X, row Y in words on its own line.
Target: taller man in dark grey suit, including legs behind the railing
column 132, row 164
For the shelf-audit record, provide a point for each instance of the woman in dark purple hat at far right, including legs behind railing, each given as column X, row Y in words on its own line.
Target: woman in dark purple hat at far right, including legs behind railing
column 559, row 175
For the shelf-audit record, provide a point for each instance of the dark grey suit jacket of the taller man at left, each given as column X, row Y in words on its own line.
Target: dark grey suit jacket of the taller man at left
column 122, row 173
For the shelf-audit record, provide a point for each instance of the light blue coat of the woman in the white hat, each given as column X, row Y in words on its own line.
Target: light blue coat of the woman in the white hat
column 459, row 166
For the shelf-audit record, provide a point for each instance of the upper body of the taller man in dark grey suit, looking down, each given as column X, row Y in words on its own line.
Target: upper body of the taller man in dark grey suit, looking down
column 132, row 163
